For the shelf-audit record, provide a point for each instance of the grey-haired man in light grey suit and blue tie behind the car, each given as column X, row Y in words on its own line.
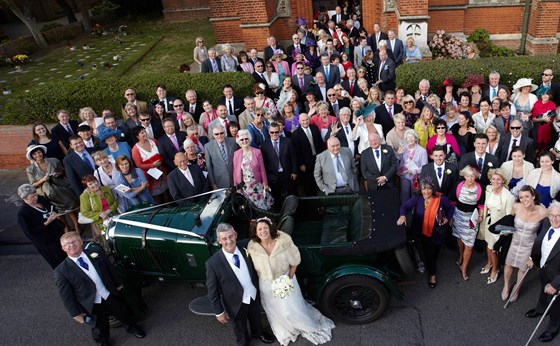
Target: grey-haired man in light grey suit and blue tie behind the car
column 335, row 169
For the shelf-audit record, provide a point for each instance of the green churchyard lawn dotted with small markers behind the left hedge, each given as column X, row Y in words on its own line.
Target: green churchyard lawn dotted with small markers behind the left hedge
column 152, row 48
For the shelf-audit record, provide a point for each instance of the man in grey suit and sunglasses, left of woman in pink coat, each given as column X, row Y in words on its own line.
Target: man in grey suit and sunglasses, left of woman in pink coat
column 219, row 159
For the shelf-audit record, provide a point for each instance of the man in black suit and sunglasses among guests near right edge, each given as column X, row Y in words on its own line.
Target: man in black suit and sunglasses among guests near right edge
column 515, row 138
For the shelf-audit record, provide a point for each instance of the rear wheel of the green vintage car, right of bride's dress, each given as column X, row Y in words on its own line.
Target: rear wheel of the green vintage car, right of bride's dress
column 355, row 299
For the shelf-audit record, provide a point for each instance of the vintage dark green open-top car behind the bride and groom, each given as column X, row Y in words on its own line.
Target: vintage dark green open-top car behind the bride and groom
column 350, row 246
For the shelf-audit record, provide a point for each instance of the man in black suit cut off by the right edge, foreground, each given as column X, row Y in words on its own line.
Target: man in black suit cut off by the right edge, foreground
column 546, row 254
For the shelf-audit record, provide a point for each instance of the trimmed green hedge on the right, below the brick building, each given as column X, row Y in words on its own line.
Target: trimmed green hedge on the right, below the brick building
column 510, row 69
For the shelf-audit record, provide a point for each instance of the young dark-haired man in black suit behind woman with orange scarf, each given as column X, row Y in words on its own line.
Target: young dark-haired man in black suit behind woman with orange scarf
column 443, row 174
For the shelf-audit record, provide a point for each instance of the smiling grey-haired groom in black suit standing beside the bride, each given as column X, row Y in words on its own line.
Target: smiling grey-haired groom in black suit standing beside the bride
column 232, row 276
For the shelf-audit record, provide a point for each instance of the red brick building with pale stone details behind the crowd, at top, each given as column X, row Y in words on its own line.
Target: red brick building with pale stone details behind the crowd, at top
column 252, row 21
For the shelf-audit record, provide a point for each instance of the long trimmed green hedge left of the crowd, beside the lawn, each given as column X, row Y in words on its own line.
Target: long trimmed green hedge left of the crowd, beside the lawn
column 42, row 101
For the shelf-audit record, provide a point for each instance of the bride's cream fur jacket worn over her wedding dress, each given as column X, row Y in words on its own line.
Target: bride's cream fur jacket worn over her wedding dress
column 284, row 255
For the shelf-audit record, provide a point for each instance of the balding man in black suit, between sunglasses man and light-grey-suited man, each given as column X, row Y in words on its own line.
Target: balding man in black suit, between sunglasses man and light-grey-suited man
column 307, row 143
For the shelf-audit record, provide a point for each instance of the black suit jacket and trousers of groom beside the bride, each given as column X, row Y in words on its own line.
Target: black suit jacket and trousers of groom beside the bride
column 226, row 295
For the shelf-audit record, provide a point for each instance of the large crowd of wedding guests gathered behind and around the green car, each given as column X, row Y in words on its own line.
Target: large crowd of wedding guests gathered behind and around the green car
column 325, row 117
